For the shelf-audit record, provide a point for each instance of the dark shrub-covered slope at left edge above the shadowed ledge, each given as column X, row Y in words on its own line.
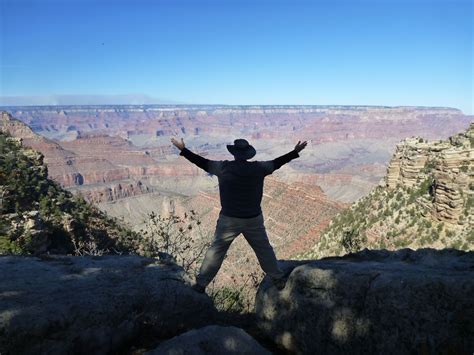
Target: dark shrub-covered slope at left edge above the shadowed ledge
column 37, row 215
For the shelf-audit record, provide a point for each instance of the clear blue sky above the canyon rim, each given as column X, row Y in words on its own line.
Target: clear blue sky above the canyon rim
column 385, row 52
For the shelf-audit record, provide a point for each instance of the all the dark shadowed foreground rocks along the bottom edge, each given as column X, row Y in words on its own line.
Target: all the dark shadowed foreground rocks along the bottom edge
column 372, row 302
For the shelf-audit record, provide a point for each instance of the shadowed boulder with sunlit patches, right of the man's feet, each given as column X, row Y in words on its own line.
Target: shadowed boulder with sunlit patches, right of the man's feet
column 374, row 302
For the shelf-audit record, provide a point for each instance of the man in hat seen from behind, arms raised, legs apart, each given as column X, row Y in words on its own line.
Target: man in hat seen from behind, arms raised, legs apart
column 241, row 189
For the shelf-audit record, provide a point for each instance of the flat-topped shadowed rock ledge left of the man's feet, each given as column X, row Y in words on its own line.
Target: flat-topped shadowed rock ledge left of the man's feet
column 93, row 305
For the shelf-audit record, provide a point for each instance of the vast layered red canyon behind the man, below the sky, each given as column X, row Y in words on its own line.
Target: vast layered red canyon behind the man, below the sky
column 120, row 158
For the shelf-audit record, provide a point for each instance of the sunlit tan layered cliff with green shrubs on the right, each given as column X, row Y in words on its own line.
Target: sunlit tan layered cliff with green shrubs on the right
column 425, row 200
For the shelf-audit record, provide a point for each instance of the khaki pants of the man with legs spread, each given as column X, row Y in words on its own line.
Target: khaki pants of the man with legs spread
column 227, row 229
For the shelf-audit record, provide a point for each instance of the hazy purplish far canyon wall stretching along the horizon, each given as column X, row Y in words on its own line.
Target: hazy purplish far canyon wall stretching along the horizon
column 320, row 124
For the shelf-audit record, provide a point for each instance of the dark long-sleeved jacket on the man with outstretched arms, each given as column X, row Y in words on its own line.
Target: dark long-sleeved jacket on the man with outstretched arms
column 240, row 181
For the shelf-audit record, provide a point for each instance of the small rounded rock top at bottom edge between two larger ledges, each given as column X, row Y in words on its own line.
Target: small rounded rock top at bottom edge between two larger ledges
column 211, row 340
